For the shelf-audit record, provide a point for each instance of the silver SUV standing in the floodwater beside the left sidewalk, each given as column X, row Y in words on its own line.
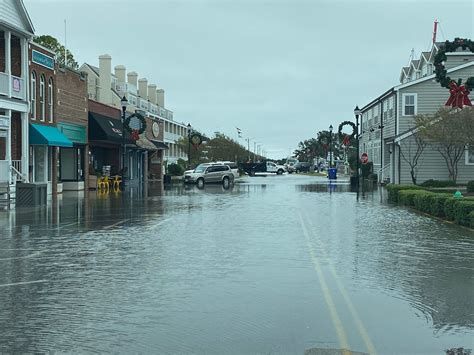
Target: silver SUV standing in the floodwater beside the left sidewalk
column 212, row 173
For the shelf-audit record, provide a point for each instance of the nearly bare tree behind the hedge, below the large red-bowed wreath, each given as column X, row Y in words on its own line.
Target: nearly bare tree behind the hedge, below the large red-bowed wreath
column 450, row 131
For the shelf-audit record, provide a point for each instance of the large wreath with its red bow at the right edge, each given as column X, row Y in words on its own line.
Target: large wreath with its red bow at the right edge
column 459, row 92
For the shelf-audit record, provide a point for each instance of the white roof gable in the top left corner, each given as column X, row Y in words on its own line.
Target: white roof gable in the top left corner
column 15, row 16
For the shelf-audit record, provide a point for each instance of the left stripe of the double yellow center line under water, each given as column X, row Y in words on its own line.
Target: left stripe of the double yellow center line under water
column 336, row 321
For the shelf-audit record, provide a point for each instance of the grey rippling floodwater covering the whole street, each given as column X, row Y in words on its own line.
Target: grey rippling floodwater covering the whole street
column 275, row 265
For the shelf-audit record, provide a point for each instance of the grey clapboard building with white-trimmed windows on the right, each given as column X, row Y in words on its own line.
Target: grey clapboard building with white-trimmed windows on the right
column 388, row 120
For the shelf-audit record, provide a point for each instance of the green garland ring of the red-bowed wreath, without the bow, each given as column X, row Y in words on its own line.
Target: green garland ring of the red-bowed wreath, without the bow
column 440, row 57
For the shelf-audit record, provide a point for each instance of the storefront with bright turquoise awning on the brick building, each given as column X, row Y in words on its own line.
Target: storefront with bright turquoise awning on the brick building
column 45, row 142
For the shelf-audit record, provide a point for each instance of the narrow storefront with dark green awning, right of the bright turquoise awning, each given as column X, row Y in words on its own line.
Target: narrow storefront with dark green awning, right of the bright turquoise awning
column 71, row 169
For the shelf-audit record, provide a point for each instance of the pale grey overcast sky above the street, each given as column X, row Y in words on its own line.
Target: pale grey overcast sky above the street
column 278, row 70
